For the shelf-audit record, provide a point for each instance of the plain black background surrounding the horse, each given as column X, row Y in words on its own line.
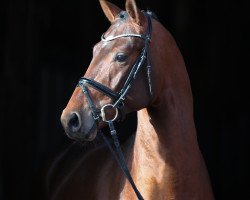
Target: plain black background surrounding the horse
column 46, row 46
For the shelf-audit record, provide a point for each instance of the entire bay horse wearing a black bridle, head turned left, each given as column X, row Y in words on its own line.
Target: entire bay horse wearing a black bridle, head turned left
column 136, row 66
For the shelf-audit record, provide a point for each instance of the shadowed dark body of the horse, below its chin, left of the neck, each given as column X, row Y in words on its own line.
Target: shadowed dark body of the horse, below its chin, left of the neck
column 95, row 176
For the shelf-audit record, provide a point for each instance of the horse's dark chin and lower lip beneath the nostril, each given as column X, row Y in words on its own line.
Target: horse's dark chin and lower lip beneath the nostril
column 90, row 135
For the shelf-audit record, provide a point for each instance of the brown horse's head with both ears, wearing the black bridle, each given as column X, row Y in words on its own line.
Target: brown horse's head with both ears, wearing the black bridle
column 119, row 77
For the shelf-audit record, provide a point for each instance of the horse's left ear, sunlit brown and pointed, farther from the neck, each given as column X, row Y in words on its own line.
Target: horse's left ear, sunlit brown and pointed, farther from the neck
column 109, row 9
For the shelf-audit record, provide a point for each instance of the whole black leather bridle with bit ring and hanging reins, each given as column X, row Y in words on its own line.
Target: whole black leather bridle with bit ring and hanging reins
column 119, row 97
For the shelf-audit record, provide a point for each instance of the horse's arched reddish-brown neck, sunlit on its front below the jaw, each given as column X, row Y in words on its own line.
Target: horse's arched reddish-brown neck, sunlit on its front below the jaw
column 166, row 161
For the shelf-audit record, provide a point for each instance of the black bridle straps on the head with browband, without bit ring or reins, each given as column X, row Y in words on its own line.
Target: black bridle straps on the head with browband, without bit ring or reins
column 119, row 97
